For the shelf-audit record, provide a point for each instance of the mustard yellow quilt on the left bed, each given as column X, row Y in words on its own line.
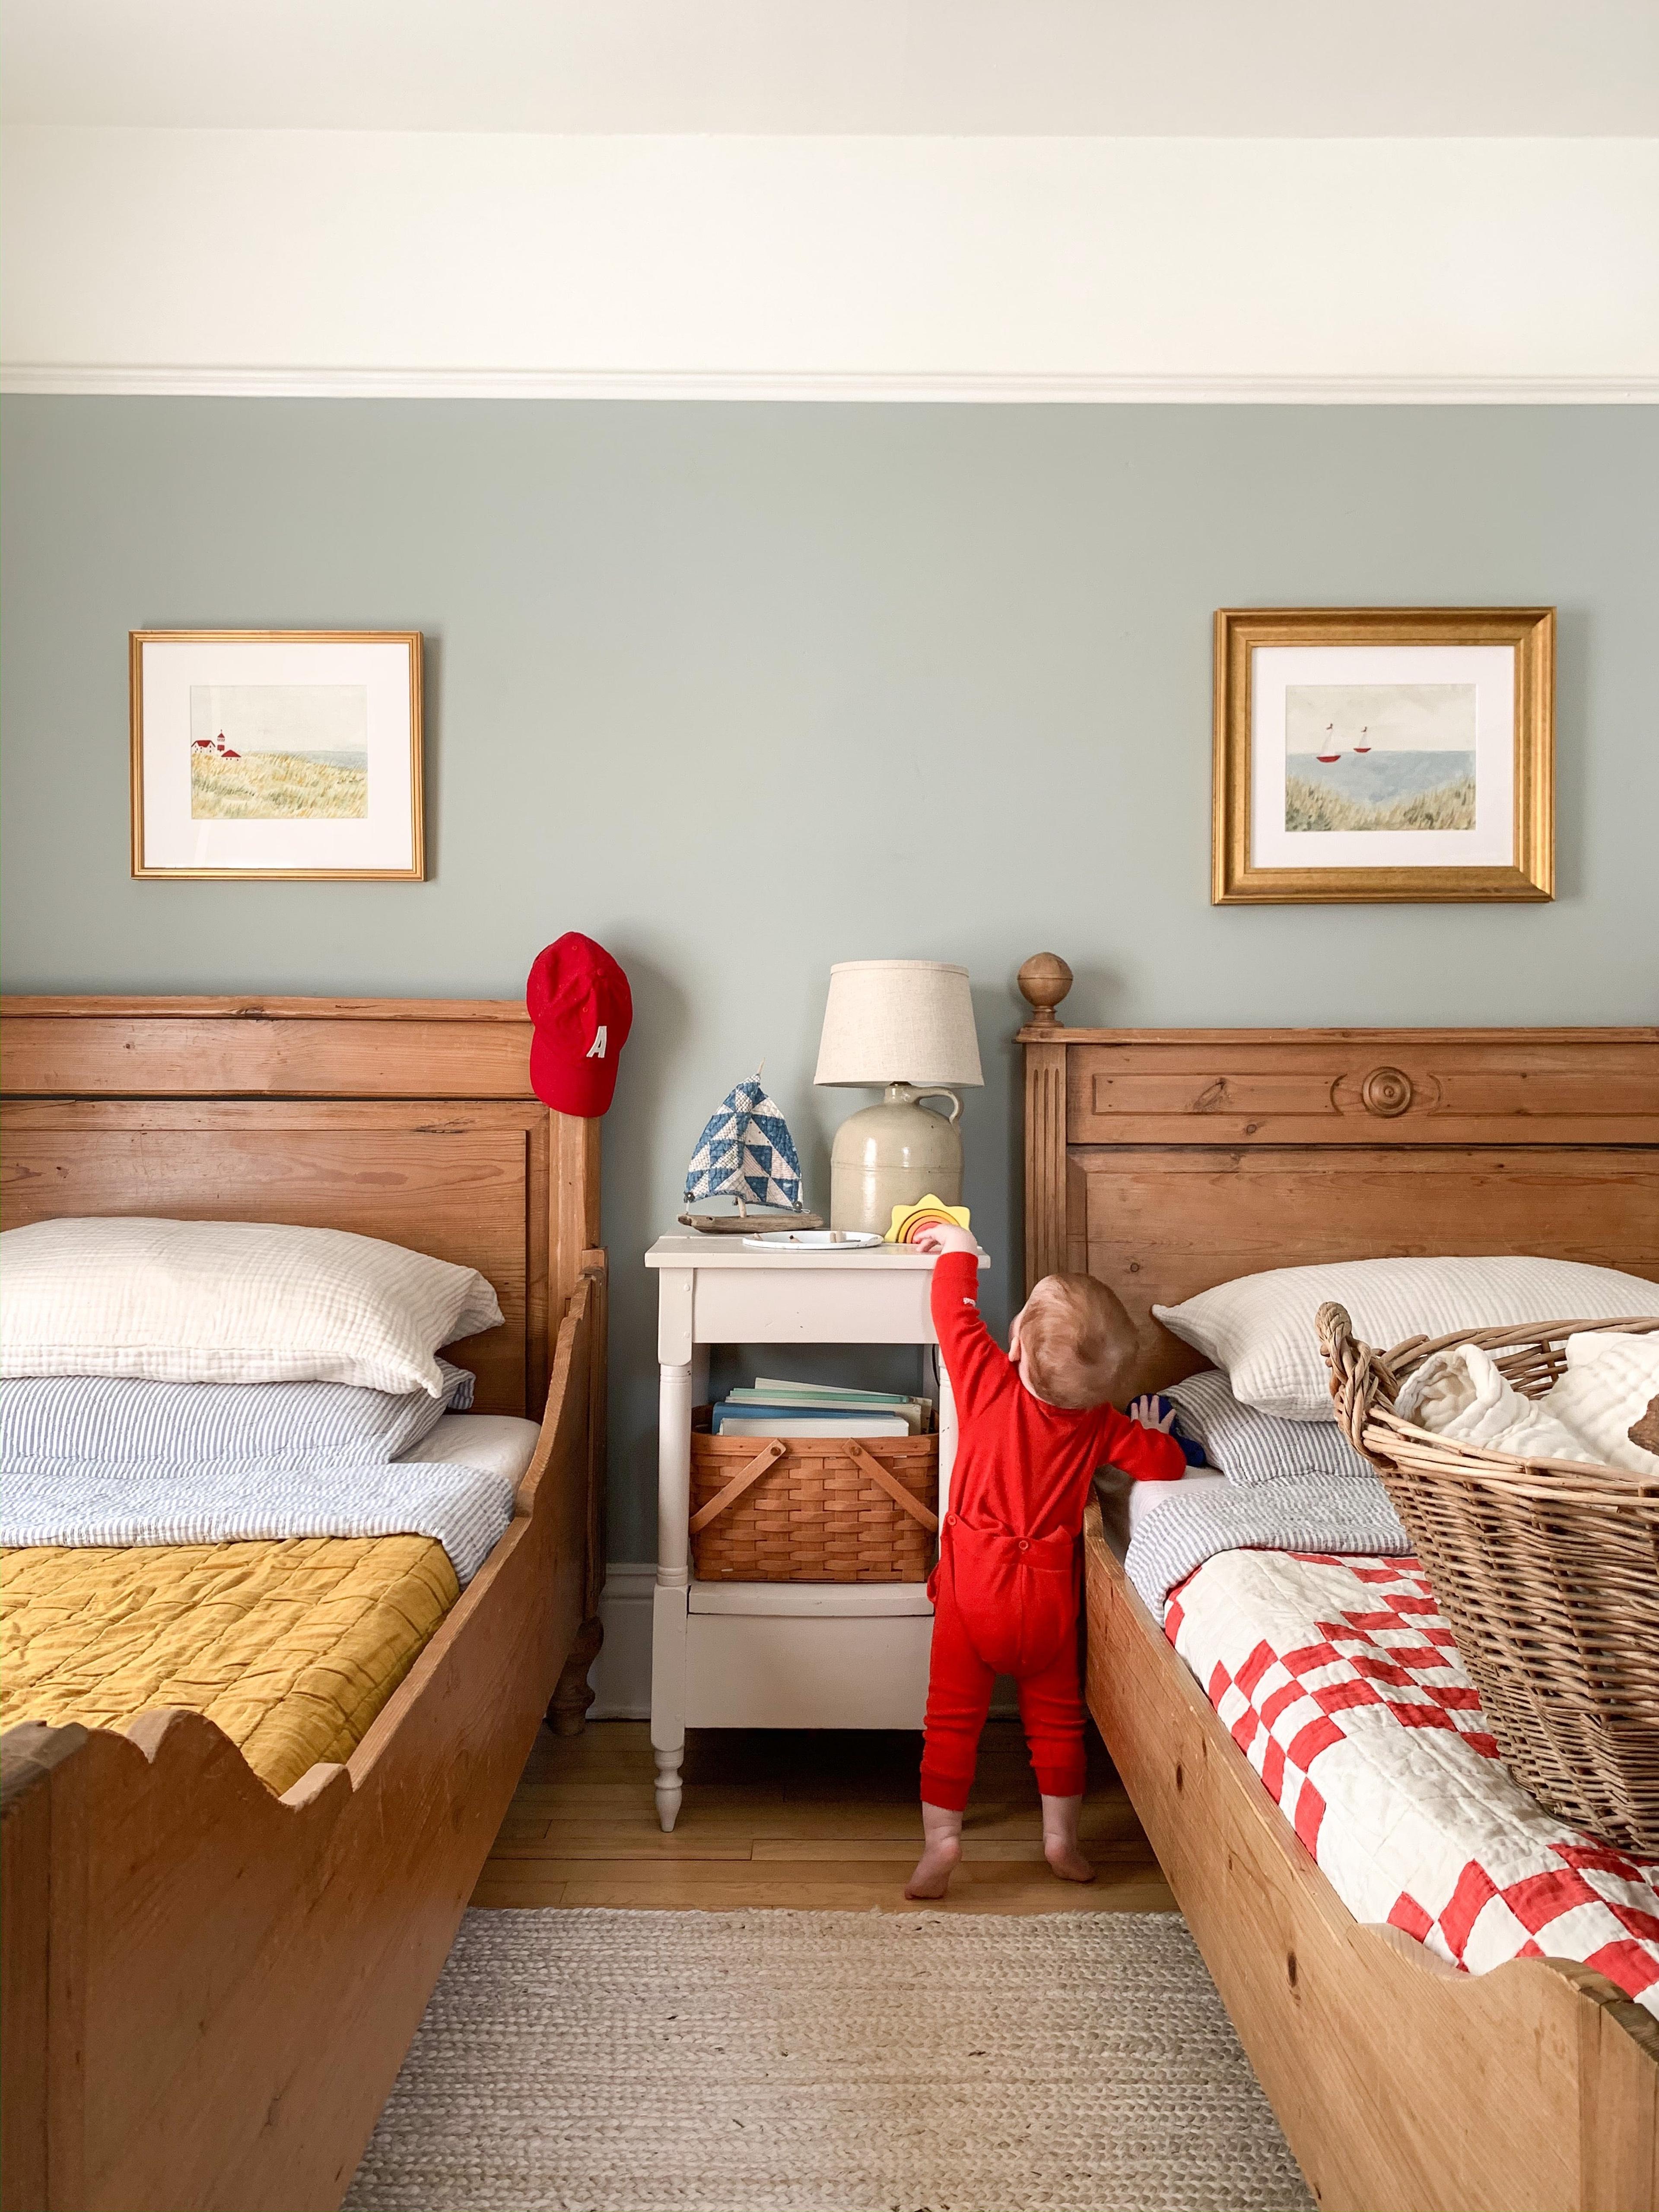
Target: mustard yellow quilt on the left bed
column 291, row 1647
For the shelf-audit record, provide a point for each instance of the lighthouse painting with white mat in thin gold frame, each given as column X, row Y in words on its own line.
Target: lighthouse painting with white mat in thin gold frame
column 278, row 755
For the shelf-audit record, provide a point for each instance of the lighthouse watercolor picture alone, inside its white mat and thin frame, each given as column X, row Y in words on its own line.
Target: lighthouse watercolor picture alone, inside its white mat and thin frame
column 280, row 751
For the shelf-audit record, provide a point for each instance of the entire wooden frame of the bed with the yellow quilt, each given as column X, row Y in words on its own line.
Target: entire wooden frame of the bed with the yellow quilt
column 209, row 1990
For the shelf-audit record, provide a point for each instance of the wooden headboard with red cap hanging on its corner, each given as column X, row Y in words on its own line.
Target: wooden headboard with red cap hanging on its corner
column 410, row 1120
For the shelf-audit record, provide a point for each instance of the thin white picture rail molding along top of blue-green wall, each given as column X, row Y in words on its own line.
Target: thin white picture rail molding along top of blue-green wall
column 70, row 379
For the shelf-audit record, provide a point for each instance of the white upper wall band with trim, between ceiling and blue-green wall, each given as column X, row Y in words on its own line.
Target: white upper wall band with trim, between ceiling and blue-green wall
column 331, row 264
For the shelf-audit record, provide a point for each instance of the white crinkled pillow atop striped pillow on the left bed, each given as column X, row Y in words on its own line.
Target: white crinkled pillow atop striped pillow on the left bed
column 231, row 1302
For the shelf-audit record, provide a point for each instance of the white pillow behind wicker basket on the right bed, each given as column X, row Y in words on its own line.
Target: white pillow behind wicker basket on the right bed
column 1262, row 1326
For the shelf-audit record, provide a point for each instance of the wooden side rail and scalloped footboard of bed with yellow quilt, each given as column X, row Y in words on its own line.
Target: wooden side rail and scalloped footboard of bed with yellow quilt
column 207, row 1990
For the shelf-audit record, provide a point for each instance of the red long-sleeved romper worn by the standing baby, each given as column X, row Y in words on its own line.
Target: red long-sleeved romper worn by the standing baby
column 1005, row 1587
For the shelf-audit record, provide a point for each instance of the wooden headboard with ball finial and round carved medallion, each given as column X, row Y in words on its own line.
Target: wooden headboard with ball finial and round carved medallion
column 1169, row 1160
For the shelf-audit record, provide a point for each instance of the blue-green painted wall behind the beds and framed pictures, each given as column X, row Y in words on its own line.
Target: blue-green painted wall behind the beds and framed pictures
column 744, row 691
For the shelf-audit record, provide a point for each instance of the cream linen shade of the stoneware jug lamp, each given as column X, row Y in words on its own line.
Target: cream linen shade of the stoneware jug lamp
column 899, row 1023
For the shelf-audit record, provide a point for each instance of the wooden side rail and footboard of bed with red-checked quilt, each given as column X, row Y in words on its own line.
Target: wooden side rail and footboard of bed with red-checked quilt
column 1401, row 2085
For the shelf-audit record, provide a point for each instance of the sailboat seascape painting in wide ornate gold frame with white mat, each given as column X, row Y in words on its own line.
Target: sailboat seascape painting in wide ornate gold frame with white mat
column 1384, row 753
